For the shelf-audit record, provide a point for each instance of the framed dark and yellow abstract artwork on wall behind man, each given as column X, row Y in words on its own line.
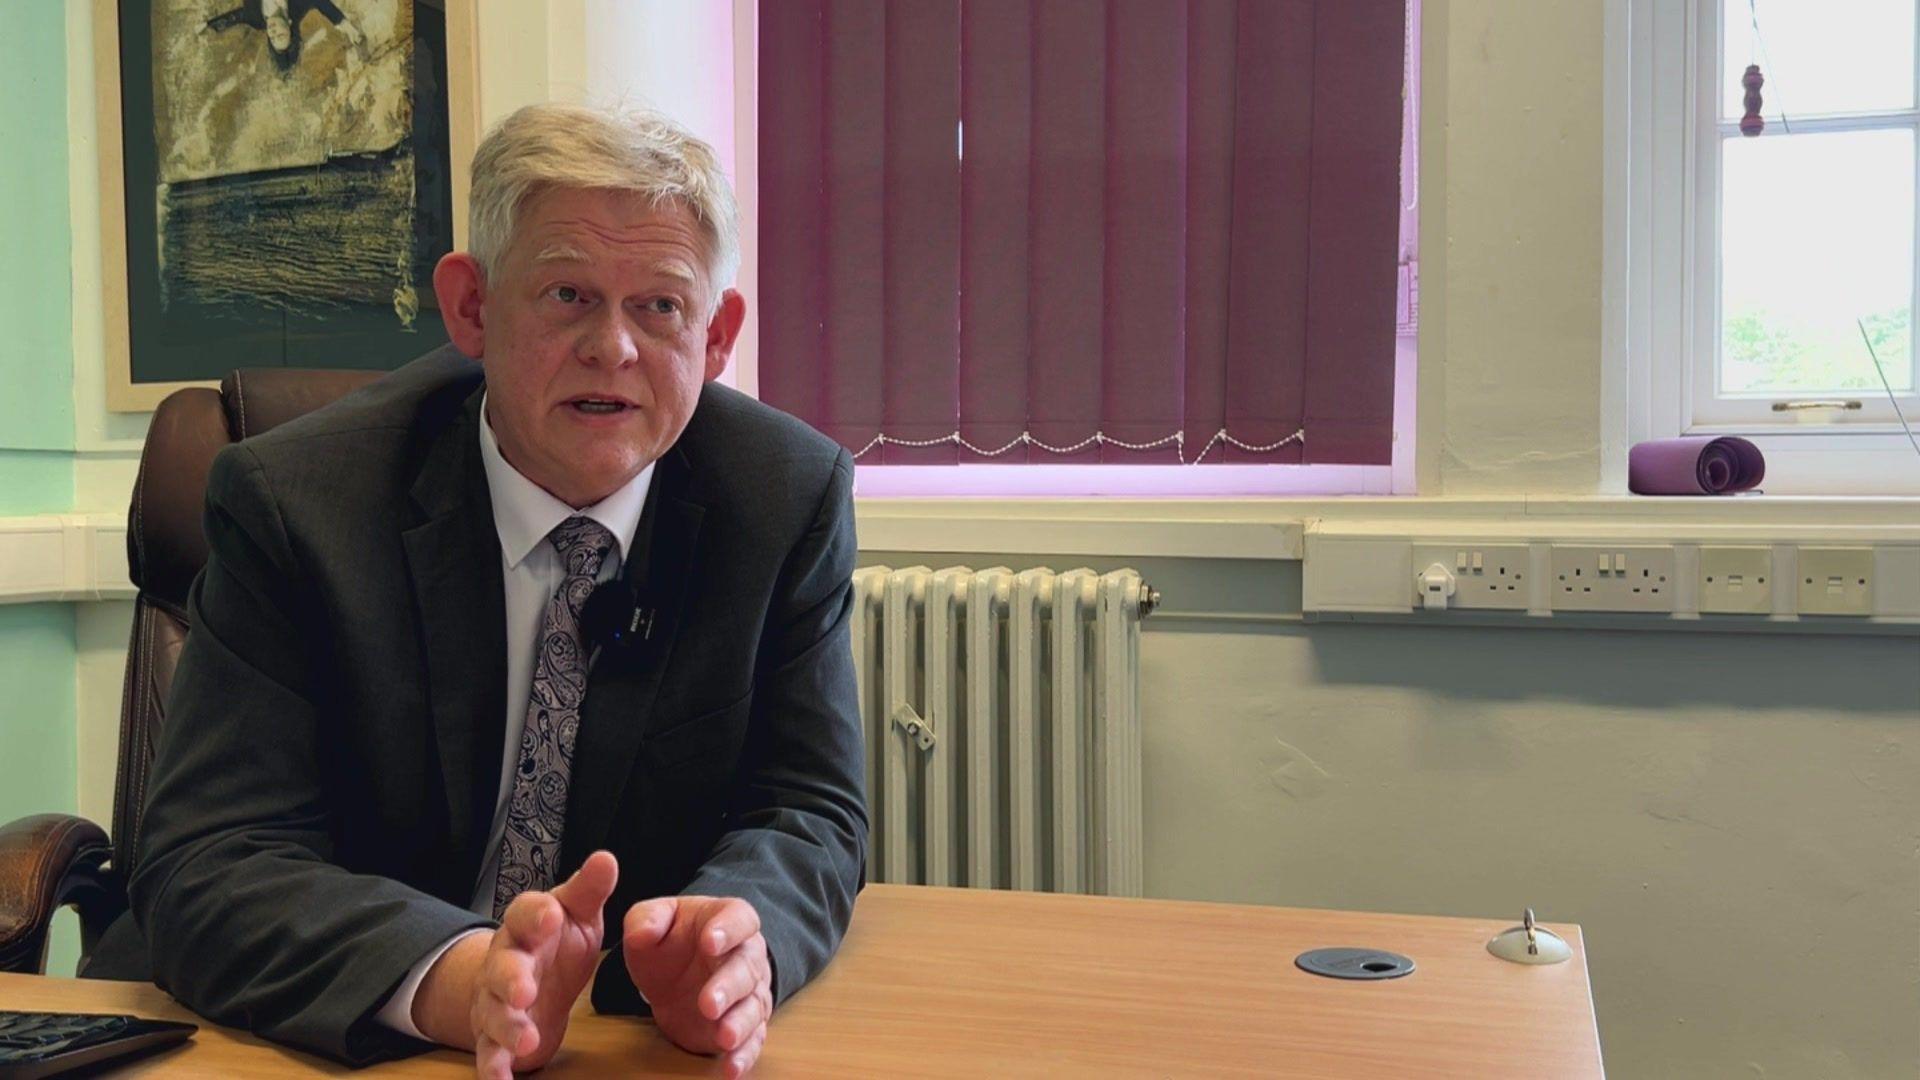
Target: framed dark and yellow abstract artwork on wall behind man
column 279, row 180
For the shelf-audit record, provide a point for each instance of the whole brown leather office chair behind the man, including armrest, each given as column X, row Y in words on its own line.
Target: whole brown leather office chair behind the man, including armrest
column 55, row 860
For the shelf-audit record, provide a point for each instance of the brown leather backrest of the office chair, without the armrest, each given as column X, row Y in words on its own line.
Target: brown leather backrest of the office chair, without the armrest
column 168, row 547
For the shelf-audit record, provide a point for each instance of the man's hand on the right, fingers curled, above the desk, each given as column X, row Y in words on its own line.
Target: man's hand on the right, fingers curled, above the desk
column 702, row 964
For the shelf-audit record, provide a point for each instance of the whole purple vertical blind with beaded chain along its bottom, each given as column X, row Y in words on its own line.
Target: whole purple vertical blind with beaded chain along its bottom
column 1084, row 232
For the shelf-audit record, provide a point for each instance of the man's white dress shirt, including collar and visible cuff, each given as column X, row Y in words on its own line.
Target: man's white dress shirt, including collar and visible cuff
column 523, row 516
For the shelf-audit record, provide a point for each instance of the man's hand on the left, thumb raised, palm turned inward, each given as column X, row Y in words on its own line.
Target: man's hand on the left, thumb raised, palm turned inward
column 508, row 996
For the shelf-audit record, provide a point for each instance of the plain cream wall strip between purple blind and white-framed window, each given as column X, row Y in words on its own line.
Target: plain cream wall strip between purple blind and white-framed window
column 1512, row 249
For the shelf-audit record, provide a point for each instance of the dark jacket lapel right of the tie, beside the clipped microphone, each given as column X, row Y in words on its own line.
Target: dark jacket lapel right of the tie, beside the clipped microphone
column 623, row 685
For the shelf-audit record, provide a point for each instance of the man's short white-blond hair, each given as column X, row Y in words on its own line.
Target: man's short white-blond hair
column 579, row 147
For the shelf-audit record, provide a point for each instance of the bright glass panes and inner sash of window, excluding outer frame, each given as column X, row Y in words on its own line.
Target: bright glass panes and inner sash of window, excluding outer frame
column 1815, row 214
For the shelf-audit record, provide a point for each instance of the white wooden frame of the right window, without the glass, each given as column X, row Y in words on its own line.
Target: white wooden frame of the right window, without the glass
column 1664, row 193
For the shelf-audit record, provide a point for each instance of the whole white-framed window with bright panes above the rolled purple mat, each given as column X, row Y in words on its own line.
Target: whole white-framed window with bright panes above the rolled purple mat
column 1758, row 258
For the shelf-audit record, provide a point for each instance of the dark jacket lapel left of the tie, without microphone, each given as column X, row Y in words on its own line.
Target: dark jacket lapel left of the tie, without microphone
column 454, row 562
